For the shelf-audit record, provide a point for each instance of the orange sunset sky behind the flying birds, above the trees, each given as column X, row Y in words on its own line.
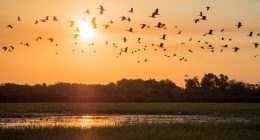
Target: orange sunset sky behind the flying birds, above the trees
column 44, row 62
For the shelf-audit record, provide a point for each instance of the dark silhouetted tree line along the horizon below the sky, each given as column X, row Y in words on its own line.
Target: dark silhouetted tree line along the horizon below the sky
column 210, row 88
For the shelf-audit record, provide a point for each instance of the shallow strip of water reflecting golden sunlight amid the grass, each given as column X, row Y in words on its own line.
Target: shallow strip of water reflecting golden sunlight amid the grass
column 89, row 121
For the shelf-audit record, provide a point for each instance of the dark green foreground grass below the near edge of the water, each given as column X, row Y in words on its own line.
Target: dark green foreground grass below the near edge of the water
column 186, row 131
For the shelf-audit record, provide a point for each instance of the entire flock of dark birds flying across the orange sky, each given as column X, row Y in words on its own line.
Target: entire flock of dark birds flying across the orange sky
column 160, row 25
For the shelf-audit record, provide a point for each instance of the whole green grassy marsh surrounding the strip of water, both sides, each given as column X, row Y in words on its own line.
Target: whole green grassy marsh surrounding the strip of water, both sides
column 178, row 131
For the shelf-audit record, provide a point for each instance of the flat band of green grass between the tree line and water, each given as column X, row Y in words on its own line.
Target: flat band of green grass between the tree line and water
column 30, row 109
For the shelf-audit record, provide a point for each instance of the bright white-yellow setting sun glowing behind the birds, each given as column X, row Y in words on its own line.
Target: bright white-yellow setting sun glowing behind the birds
column 86, row 31
